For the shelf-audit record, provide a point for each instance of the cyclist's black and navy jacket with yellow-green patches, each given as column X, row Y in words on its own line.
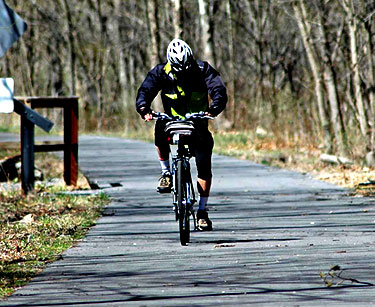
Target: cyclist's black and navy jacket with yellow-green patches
column 183, row 94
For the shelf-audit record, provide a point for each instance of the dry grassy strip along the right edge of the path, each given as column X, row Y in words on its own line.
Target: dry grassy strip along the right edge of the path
column 300, row 156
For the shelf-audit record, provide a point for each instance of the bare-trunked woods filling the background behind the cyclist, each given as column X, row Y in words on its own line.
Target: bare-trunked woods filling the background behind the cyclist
column 302, row 69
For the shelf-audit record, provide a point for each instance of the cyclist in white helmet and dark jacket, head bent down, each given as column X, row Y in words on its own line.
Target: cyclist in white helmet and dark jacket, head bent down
column 185, row 84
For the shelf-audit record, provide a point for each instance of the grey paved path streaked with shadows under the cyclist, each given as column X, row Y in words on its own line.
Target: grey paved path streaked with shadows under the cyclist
column 274, row 232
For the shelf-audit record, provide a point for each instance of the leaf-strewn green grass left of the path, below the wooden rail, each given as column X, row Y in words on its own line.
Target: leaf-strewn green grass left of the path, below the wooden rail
column 36, row 229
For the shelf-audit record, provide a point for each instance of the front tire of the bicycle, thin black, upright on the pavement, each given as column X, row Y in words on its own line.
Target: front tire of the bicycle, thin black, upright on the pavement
column 184, row 219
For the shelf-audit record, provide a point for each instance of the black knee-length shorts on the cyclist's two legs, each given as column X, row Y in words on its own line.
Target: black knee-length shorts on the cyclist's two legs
column 201, row 146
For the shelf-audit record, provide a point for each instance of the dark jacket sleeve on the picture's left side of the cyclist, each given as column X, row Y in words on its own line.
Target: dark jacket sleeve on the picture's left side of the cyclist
column 148, row 91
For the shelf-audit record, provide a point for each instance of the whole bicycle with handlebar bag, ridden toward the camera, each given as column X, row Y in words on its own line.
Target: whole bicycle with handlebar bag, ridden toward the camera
column 180, row 131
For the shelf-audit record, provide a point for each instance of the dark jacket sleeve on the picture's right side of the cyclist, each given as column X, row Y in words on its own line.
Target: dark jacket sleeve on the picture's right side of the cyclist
column 216, row 90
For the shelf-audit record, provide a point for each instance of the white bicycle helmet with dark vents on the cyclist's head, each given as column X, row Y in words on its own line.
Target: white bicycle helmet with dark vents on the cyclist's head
column 179, row 55
